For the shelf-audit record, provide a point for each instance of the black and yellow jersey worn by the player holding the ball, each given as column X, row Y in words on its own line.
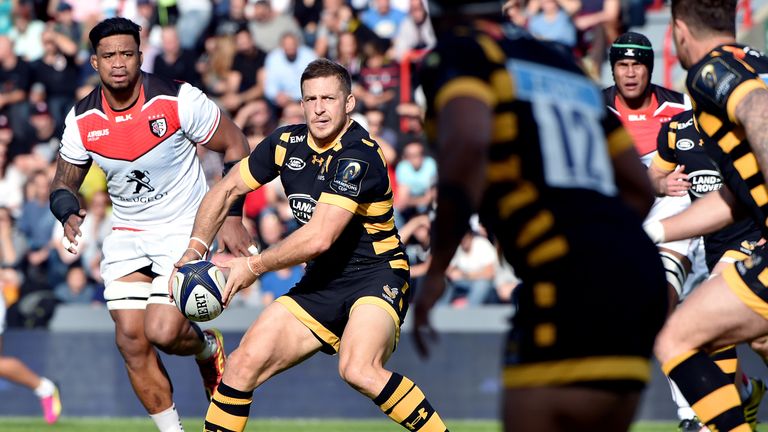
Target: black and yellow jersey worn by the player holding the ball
column 350, row 173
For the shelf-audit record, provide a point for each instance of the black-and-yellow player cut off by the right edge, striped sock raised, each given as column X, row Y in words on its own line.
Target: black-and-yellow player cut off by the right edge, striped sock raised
column 730, row 101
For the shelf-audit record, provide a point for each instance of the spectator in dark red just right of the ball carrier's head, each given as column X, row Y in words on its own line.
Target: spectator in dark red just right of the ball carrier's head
column 379, row 82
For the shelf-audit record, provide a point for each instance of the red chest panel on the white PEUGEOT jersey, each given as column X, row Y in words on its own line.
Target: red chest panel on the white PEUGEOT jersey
column 128, row 135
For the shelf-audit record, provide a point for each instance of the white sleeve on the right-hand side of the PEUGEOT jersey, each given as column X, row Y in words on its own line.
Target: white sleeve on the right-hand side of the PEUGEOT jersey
column 199, row 116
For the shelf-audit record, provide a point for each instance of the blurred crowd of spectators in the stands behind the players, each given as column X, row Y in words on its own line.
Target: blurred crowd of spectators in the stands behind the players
column 248, row 56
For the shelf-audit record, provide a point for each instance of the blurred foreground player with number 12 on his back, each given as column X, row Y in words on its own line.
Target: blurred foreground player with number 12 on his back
column 523, row 137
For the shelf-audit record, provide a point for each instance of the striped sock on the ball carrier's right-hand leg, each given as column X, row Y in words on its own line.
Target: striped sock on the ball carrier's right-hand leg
column 404, row 402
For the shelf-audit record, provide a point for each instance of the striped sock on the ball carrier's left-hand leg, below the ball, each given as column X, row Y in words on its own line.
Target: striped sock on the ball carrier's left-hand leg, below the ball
column 228, row 410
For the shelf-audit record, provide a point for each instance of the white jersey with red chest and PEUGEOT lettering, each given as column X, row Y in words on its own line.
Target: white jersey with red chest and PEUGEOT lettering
column 147, row 151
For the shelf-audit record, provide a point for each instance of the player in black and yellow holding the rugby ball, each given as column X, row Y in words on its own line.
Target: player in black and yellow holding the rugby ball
column 354, row 295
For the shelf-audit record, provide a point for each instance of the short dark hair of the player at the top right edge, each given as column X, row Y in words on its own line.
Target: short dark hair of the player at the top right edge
column 707, row 16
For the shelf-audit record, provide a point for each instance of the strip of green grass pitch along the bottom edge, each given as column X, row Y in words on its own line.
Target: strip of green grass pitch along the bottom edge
column 89, row 424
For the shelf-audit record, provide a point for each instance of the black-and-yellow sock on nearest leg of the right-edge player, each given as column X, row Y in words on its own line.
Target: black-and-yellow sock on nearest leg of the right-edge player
column 712, row 396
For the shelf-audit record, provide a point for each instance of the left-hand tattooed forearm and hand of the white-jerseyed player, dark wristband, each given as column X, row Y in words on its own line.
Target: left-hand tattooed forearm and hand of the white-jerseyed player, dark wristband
column 64, row 203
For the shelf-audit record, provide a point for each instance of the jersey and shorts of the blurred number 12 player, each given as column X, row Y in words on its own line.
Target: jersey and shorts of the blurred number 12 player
column 552, row 202
